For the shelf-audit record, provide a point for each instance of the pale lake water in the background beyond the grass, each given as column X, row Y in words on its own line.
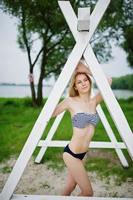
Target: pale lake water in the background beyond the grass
column 24, row 91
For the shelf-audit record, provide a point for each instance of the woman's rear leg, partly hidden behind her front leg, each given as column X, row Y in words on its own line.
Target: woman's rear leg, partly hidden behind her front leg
column 70, row 185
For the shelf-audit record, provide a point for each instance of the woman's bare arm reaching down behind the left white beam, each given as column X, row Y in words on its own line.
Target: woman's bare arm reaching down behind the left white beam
column 62, row 106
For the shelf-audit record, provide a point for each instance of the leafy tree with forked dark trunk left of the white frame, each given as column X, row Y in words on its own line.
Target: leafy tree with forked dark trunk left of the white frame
column 49, row 27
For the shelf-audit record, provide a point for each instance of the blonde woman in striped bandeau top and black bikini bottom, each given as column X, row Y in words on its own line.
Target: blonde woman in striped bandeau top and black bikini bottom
column 84, row 119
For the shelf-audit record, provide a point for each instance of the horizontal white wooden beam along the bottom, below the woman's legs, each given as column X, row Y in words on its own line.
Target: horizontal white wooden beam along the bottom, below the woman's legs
column 51, row 197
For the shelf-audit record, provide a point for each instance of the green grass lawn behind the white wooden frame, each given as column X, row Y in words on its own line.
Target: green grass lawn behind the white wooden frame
column 17, row 118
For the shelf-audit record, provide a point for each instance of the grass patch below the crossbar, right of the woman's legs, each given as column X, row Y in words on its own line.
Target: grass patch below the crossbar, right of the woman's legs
column 108, row 166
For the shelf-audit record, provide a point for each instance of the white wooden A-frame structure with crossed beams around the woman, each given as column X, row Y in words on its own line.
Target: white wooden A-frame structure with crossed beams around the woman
column 82, row 47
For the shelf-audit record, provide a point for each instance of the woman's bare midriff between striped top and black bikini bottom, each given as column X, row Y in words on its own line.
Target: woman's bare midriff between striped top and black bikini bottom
column 81, row 139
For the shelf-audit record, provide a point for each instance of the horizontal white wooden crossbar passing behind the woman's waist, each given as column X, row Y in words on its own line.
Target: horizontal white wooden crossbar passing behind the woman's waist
column 93, row 144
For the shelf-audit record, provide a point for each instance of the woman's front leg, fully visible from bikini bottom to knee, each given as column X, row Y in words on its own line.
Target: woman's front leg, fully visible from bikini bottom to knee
column 79, row 174
